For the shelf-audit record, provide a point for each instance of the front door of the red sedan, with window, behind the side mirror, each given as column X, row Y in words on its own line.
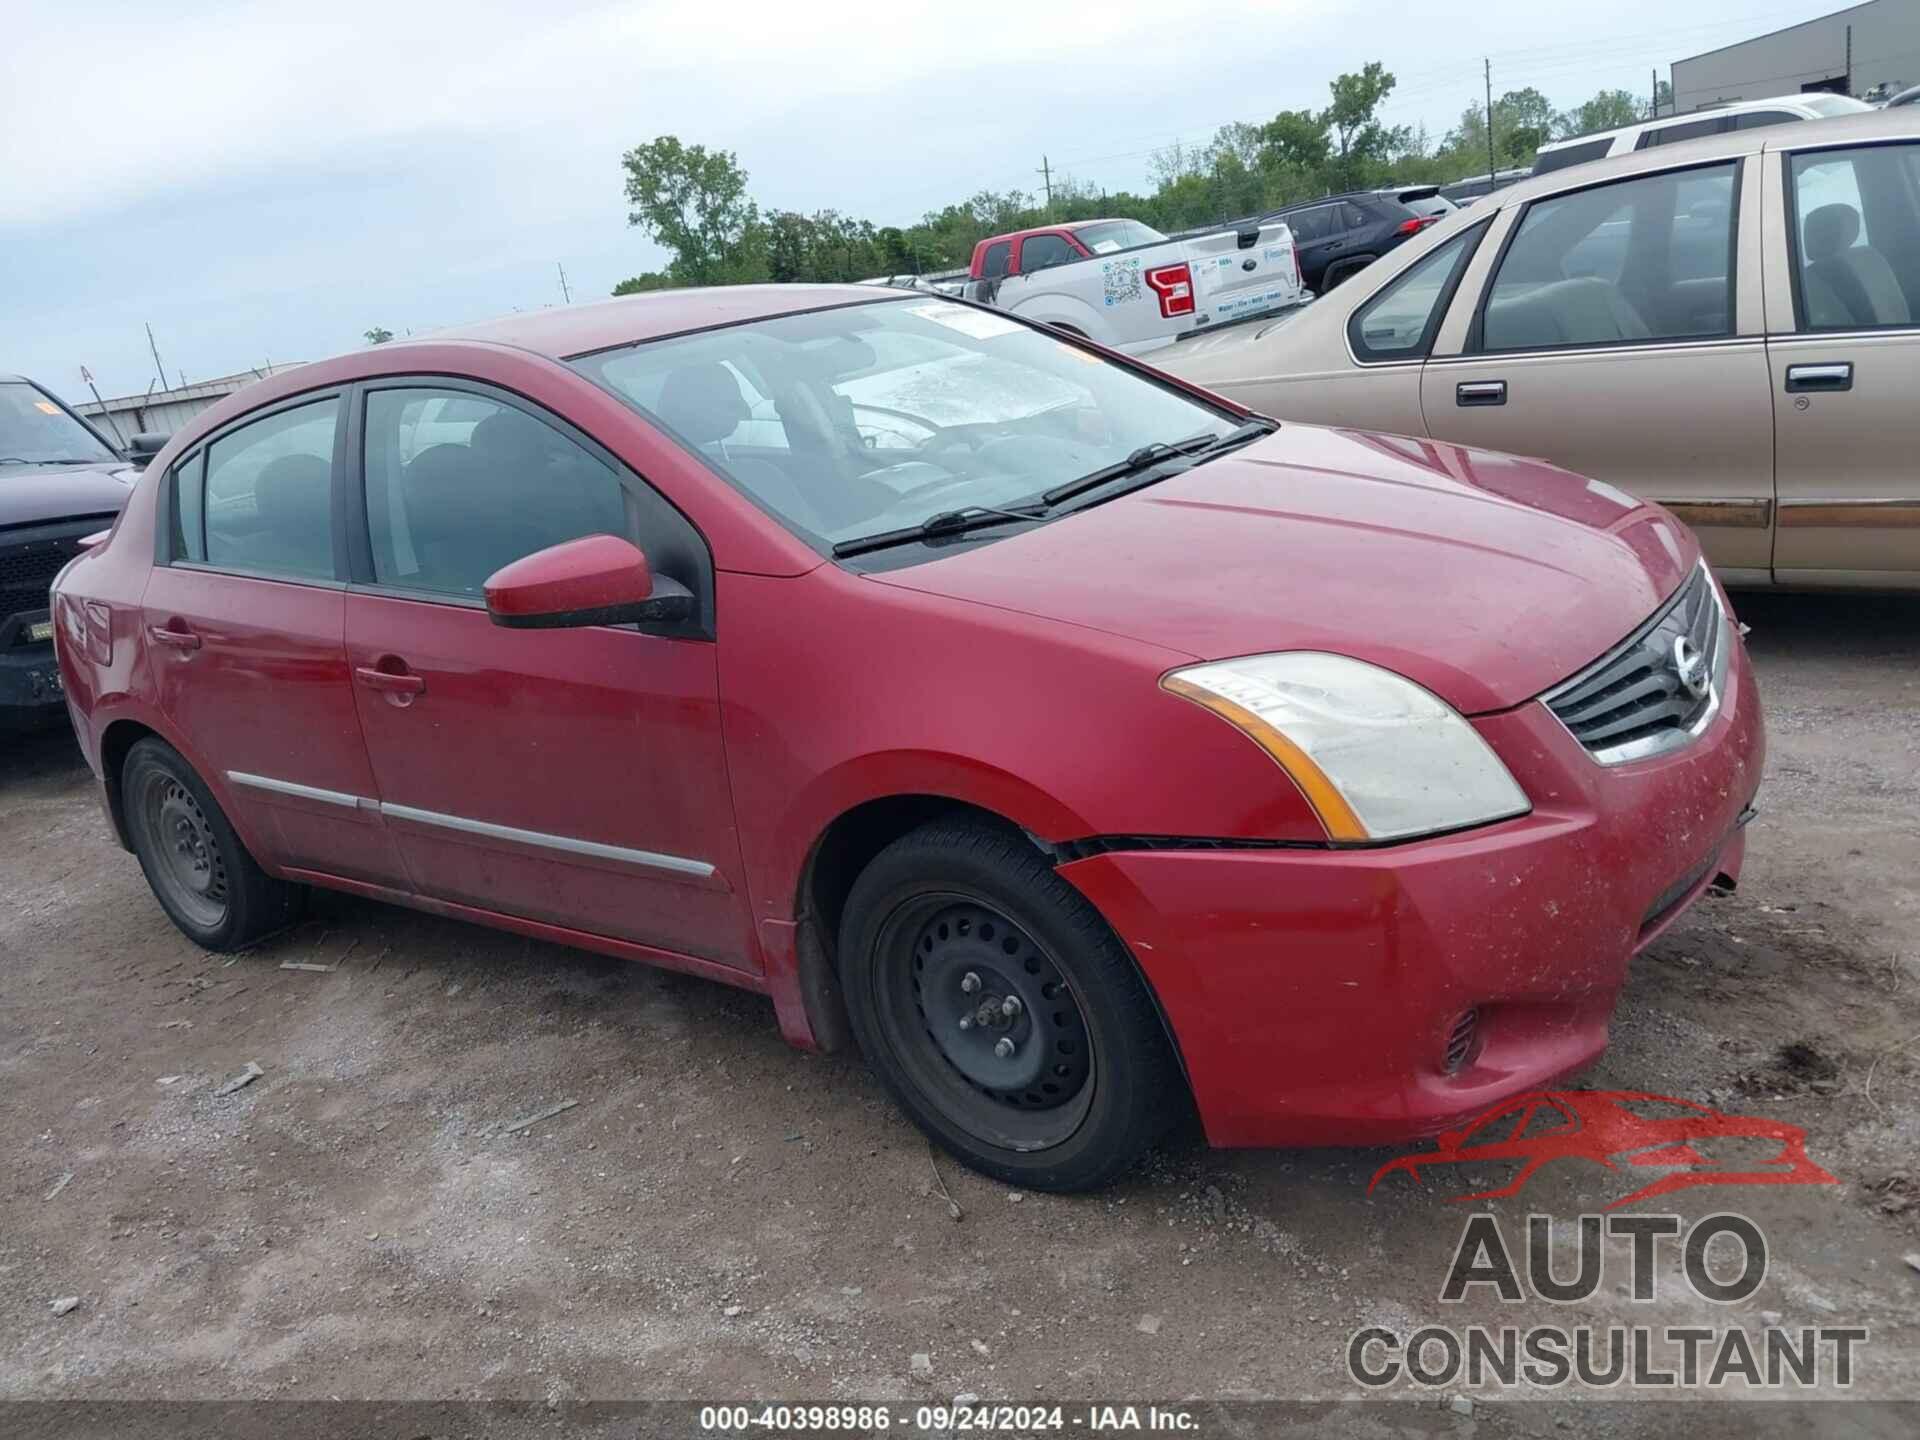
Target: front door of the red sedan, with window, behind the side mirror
column 567, row 777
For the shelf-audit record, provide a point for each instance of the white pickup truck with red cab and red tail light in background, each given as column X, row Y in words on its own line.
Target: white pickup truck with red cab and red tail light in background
column 1134, row 289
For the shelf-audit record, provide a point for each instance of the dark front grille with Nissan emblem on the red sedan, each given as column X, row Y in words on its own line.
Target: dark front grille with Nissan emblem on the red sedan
column 1635, row 702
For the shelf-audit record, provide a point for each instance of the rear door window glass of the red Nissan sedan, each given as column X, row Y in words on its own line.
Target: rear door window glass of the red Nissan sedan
column 268, row 496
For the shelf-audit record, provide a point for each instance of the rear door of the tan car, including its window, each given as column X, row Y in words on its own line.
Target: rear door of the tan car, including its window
column 1620, row 339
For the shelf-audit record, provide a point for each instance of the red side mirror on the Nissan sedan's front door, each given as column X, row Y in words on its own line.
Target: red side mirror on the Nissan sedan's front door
column 596, row 581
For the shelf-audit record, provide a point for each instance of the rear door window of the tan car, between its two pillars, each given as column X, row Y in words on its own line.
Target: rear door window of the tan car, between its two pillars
column 1631, row 262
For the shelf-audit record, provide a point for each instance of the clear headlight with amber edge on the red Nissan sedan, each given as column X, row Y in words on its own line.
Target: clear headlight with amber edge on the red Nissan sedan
column 1376, row 756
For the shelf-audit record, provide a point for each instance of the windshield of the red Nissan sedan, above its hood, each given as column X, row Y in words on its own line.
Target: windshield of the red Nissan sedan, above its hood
column 875, row 418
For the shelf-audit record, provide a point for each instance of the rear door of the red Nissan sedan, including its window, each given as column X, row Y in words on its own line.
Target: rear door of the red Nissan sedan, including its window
column 243, row 629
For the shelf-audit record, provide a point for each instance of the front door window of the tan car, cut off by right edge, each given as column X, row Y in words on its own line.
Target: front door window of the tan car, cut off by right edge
column 1858, row 237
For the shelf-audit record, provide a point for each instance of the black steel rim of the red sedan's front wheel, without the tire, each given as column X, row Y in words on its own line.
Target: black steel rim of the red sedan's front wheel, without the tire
column 986, row 1022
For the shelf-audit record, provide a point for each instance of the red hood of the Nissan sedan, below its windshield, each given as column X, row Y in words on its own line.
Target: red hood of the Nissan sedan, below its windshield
column 1483, row 577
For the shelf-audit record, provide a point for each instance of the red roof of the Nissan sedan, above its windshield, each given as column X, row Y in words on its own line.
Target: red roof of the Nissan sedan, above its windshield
column 569, row 331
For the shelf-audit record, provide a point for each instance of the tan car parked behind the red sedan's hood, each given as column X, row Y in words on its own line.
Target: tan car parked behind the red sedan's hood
column 1729, row 327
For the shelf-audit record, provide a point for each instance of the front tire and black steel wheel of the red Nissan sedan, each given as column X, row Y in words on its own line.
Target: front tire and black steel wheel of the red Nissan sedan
column 1001, row 1011
